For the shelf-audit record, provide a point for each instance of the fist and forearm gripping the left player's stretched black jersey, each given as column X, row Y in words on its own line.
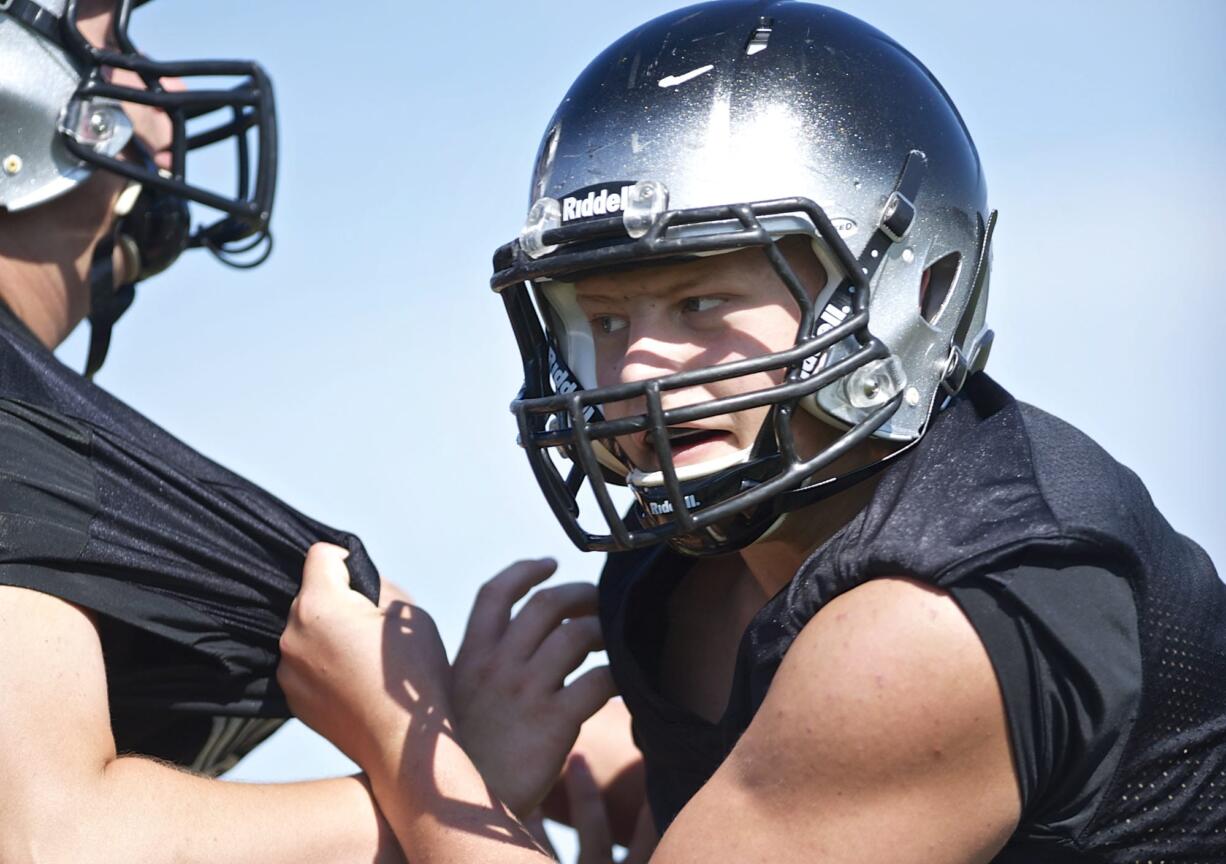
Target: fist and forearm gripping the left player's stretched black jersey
column 377, row 684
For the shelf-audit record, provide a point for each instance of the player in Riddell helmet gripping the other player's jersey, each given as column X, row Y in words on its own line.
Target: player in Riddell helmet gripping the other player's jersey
column 865, row 606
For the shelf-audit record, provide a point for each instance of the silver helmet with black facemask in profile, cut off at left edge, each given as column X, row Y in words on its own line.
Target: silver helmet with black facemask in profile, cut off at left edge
column 63, row 117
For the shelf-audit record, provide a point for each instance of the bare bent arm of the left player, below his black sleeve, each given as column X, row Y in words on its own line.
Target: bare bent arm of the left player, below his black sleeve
column 68, row 797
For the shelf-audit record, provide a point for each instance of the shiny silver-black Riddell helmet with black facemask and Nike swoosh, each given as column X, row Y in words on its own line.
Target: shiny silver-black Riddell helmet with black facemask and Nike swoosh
column 729, row 126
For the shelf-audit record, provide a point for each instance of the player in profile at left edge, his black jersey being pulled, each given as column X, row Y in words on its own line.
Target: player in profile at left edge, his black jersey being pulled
column 143, row 588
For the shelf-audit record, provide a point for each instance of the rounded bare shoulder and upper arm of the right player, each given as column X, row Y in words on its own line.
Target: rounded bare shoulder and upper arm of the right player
column 886, row 727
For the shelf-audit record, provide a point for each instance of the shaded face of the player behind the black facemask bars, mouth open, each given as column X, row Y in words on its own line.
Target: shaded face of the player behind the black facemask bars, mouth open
column 654, row 322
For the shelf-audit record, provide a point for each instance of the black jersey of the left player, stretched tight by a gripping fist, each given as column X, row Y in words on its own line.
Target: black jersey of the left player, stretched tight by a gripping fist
column 191, row 568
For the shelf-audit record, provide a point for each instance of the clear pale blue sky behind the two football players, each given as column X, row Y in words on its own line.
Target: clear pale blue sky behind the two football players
column 364, row 374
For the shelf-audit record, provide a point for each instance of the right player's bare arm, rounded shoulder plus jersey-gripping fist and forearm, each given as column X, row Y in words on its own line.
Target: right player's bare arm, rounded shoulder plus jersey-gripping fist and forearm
column 882, row 738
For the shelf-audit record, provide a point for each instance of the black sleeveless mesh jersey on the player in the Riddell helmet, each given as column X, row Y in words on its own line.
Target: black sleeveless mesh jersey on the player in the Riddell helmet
column 1106, row 631
